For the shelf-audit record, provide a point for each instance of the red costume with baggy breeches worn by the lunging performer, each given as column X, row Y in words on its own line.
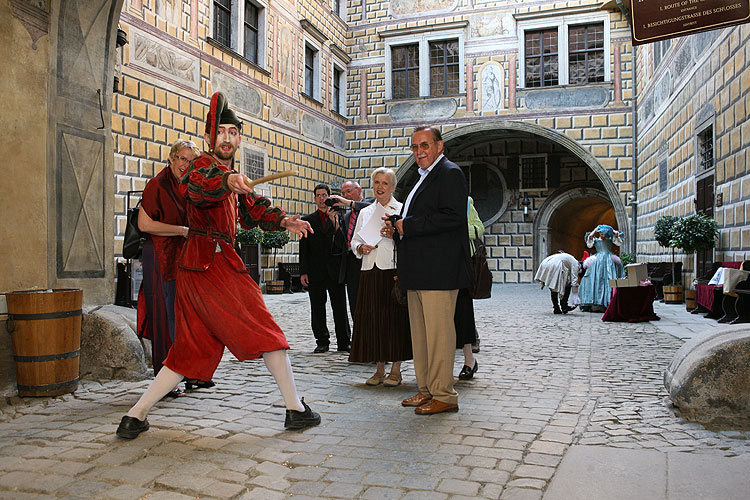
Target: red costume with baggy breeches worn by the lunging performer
column 217, row 303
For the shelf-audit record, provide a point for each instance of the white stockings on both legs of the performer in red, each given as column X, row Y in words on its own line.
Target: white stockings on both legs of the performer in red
column 277, row 363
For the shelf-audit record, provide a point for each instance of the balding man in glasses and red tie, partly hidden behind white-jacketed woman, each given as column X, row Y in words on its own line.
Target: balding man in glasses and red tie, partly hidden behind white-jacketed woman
column 350, row 264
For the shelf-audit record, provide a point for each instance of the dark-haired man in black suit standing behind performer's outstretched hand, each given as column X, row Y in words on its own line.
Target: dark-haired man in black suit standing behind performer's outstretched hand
column 320, row 261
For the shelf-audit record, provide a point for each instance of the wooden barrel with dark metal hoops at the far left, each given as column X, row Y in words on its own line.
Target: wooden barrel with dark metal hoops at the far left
column 45, row 326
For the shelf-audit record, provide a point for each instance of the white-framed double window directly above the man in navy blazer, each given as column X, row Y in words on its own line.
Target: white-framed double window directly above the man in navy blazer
column 425, row 64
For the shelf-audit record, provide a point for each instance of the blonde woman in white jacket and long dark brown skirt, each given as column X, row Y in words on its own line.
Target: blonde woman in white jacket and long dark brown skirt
column 381, row 325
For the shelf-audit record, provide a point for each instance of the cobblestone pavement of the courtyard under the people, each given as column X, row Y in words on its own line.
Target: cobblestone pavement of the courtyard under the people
column 545, row 382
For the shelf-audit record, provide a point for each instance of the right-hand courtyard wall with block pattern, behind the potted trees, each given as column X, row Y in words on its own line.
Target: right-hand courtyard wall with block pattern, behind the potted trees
column 699, row 80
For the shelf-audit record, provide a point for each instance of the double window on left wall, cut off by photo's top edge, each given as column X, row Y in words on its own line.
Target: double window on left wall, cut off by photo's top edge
column 240, row 26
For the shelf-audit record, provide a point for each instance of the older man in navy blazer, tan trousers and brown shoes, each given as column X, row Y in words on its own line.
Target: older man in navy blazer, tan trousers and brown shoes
column 433, row 264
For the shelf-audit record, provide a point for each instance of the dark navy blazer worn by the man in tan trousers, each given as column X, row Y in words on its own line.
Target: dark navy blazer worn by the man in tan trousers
column 434, row 252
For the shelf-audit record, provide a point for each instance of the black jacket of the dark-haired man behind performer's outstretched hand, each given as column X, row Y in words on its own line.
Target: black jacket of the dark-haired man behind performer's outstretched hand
column 319, row 255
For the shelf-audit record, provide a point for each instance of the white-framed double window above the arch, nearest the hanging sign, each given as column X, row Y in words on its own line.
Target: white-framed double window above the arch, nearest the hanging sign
column 566, row 50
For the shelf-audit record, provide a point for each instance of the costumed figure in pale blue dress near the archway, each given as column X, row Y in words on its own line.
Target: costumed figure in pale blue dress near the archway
column 595, row 292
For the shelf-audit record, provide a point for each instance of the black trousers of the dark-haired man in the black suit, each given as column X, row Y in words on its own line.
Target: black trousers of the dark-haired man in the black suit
column 337, row 294
